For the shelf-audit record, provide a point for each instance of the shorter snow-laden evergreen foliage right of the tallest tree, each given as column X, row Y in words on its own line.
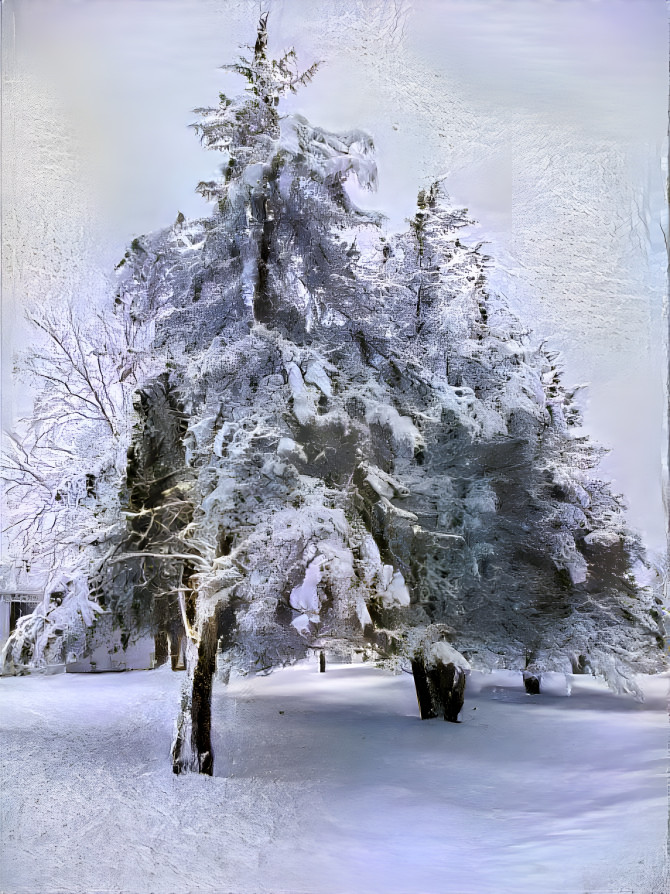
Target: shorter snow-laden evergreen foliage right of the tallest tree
column 541, row 572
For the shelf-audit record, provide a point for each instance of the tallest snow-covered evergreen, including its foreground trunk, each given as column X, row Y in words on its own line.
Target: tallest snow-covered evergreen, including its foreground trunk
column 238, row 478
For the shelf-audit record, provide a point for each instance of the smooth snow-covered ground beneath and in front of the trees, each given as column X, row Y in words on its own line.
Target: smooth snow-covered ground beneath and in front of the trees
column 331, row 783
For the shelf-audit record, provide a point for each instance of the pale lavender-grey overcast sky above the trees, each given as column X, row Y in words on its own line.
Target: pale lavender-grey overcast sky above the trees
column 548, row 118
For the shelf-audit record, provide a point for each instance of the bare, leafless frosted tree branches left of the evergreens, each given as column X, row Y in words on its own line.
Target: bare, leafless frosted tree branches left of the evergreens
column 63, row 467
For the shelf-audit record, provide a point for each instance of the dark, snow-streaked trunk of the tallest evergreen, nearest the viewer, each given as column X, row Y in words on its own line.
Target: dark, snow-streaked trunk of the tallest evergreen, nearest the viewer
column 192, row 749
